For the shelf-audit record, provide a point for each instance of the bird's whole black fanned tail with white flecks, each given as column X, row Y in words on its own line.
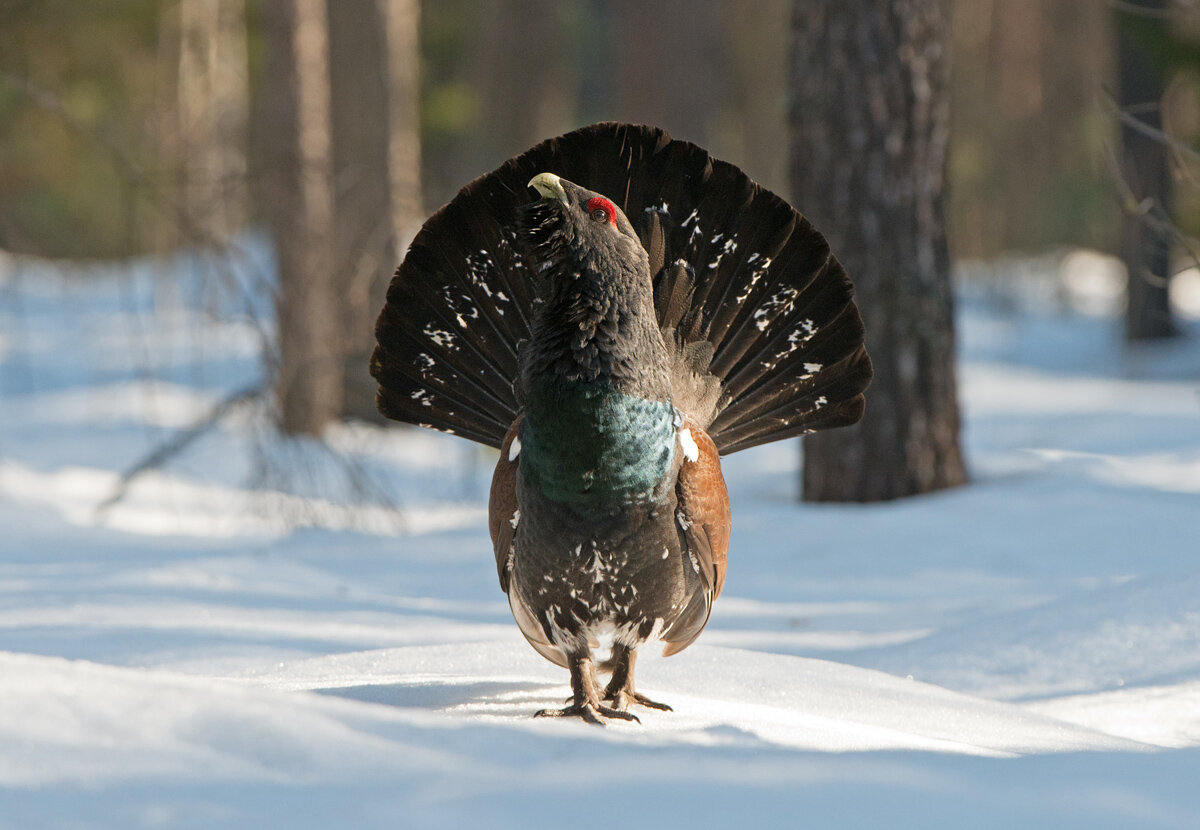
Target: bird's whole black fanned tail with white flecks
column 769, row 342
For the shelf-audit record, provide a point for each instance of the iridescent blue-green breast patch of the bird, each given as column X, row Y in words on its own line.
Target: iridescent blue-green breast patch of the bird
column 585, row 443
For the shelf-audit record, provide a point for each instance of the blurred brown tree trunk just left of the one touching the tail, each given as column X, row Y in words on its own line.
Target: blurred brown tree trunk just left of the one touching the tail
column 299, row 209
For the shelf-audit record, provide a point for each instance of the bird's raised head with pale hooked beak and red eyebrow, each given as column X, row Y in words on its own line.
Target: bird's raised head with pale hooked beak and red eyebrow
column 572, row 230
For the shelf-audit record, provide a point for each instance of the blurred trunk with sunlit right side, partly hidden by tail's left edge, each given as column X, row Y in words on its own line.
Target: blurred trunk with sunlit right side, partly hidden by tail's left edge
column 376, row 155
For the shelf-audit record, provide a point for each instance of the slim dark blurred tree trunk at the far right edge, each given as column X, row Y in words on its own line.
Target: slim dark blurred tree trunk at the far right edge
column 1145, row 234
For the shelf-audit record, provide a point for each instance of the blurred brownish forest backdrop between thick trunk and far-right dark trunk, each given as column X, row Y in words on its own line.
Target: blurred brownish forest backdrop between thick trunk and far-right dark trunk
column 1029, row 143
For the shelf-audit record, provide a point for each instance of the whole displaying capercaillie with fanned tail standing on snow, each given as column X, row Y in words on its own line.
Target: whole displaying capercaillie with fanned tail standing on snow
column 615, row 310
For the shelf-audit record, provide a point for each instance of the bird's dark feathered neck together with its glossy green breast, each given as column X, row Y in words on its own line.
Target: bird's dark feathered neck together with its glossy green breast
column 599, row 425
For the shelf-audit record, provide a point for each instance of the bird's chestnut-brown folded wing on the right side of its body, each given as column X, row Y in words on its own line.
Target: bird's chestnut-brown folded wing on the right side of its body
column 704, row 506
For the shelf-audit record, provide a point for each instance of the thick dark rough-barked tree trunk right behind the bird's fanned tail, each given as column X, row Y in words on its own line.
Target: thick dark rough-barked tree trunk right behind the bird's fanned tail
column 869, row 119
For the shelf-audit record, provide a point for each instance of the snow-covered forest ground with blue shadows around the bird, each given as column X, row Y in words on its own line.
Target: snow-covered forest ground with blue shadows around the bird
column 268, row 634
